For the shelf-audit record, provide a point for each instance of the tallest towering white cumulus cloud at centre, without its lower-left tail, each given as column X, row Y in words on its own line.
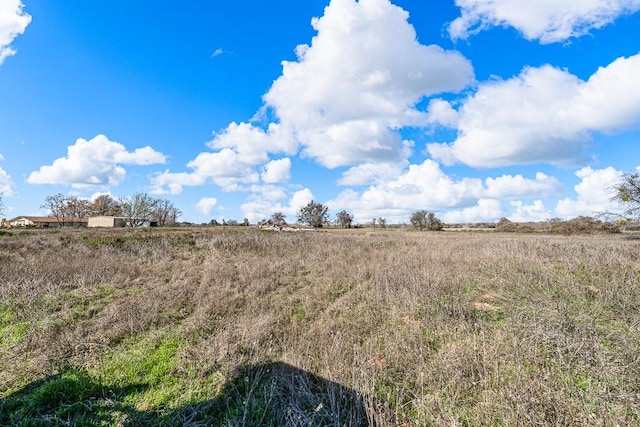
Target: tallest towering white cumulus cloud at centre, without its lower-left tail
column 359, row 81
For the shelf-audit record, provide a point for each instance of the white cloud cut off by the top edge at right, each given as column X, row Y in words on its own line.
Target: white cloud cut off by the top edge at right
column 543, row 20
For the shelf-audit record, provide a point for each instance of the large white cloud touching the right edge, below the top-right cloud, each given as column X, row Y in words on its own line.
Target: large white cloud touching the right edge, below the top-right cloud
column 544, row 114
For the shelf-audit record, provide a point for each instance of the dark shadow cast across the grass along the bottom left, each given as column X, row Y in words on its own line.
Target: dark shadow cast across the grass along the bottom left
column 272, row 394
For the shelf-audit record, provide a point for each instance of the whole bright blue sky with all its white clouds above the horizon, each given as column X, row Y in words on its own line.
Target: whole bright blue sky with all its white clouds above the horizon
column 474, row 109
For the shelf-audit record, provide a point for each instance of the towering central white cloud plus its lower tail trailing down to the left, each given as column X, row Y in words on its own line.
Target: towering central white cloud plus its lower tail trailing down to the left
column 340, row 103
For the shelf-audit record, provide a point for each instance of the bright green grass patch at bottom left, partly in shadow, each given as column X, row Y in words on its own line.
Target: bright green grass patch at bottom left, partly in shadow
column 140, row 382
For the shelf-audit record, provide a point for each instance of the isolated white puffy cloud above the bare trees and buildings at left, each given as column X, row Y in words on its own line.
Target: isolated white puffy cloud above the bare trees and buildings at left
column 92, row 163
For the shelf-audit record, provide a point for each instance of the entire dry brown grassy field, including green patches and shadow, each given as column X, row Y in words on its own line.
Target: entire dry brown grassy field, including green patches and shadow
column 234, row 326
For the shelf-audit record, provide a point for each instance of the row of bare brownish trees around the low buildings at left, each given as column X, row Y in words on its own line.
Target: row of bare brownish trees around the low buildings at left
column 138, row 209
